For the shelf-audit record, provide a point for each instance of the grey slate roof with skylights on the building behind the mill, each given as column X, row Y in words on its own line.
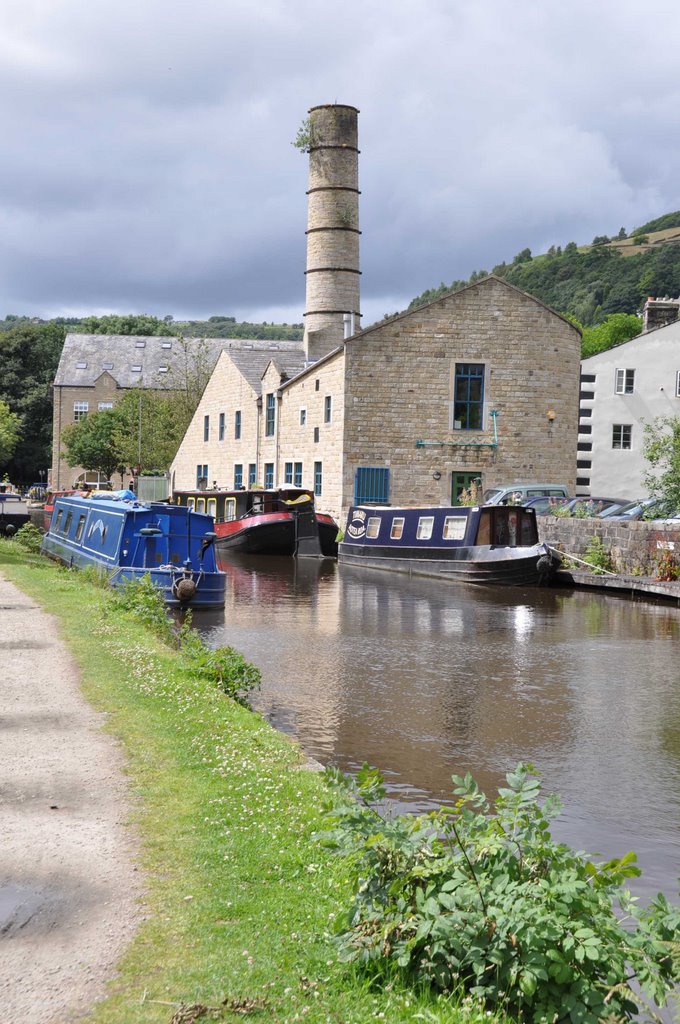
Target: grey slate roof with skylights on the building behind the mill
column 87, row 357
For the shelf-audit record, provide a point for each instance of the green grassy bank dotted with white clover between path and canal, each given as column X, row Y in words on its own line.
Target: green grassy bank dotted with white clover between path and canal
column 240, row 897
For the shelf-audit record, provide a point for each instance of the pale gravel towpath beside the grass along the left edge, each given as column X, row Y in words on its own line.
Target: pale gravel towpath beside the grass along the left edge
column 69, row 893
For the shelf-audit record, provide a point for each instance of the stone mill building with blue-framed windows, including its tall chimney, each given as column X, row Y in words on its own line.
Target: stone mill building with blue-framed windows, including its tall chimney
column 480, row 386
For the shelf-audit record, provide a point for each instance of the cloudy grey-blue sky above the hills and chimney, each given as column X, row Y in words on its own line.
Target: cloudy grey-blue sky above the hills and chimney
column 147, row 162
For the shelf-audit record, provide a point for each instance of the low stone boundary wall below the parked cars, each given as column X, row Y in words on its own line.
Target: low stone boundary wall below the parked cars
column 634, row 546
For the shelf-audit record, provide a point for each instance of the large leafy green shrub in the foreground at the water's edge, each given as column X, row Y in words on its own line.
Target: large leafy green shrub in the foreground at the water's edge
column 484, row 900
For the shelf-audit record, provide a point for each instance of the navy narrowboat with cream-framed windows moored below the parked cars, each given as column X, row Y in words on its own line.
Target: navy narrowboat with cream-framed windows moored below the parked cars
column 494, row 544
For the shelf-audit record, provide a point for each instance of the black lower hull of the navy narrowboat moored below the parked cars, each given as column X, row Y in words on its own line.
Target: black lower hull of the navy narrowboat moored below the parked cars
column 503, row 567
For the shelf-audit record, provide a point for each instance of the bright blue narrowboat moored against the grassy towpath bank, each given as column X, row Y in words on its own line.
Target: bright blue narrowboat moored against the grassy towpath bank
column 126, row 540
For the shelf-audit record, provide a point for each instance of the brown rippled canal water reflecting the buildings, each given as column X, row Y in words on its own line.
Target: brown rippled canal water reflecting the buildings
column 424, row 679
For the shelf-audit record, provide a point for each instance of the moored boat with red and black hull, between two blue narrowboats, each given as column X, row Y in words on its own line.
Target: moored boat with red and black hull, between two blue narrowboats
column 282, row 522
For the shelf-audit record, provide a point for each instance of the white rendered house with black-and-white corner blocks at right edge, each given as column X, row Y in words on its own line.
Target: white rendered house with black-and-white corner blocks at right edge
column 621, row 392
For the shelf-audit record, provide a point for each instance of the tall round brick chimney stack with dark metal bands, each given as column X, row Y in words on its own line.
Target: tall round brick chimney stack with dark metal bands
column 332, row 303
